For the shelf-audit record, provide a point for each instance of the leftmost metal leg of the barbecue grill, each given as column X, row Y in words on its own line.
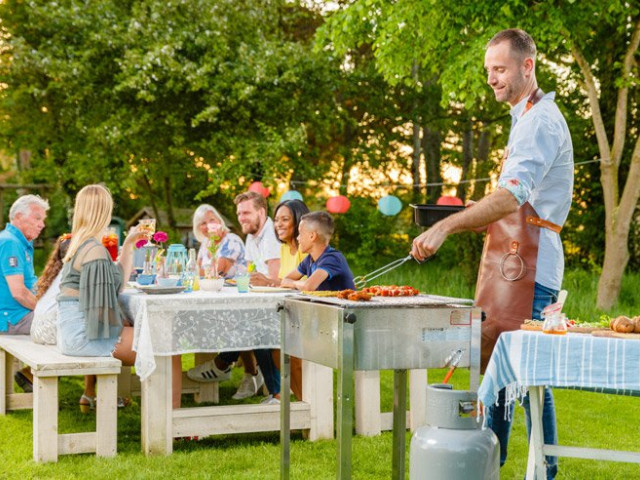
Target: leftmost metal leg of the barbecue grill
column 285, row 398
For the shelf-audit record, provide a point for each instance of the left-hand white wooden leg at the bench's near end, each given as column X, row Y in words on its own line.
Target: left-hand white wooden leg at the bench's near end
column 45, row 419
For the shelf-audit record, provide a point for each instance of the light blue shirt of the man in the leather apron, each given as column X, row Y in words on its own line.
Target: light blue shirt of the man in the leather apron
column 539, row 169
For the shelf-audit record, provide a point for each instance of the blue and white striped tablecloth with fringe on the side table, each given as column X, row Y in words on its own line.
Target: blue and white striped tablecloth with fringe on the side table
column 521, row 359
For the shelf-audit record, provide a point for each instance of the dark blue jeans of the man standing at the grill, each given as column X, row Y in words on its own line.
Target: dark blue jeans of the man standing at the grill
column 500, row 421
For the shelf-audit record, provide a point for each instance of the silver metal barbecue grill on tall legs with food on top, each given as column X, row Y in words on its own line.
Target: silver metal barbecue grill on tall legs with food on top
column 396, row 333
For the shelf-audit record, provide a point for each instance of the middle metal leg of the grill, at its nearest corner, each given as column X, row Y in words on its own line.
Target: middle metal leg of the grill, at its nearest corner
column 345, row 402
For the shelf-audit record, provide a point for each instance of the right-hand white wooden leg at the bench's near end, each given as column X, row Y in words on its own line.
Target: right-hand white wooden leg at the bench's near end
column 107, row 415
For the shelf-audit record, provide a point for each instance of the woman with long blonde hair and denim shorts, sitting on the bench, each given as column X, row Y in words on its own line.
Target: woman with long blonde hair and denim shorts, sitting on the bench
column 89, row 319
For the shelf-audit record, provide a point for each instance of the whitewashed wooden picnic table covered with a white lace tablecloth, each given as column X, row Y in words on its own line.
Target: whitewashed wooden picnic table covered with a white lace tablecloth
column 174, row 324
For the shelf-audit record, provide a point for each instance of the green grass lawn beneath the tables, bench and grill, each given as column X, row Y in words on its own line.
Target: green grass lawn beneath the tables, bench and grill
column 584, row 419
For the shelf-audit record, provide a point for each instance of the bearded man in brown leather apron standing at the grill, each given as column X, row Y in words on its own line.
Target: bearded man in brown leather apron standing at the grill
column 522, row 262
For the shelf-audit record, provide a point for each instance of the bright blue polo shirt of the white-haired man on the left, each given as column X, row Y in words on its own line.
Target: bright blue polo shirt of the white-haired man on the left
column 16, row 258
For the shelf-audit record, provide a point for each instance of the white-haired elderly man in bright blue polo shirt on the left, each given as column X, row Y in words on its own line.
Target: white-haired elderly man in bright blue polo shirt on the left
column 17, row 276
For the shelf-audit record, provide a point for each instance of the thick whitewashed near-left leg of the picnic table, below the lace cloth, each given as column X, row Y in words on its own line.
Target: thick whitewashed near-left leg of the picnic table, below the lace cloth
column 157, row 410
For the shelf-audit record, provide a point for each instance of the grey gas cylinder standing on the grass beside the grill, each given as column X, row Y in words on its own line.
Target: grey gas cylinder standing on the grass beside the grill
column 453, row 445
